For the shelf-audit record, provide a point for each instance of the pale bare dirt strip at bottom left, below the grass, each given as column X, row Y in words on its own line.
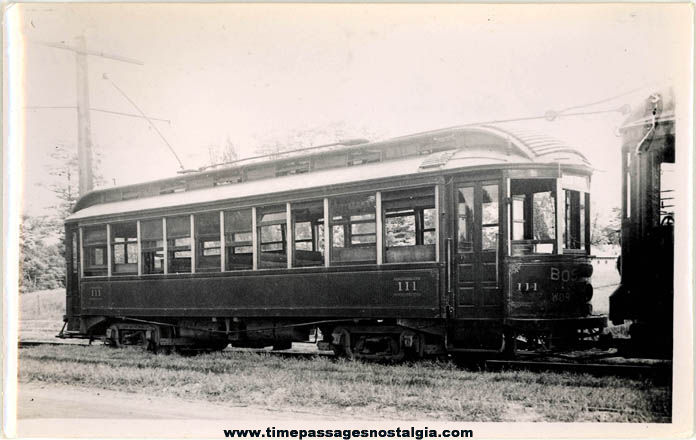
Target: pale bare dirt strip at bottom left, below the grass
column 55, row 410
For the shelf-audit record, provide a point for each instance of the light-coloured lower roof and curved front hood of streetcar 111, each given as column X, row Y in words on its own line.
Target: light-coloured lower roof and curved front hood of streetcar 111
column 518, row 148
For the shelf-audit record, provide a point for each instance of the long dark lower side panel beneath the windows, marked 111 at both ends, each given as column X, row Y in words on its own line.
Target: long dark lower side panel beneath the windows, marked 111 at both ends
column 346, row 292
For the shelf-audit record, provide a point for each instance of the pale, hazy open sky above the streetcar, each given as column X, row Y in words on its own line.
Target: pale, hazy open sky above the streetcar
column 259, row 74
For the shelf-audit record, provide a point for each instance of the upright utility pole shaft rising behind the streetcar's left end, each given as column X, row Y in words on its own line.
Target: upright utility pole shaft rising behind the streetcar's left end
column 84, row 137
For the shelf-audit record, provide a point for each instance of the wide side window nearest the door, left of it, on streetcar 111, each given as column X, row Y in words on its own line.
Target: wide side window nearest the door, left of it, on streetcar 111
column 409, row 225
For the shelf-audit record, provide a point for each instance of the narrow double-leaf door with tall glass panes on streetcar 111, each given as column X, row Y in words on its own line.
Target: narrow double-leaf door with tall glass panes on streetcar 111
column 476, row 250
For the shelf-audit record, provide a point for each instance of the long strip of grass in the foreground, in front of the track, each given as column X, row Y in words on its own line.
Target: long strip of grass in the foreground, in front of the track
column 424, row 390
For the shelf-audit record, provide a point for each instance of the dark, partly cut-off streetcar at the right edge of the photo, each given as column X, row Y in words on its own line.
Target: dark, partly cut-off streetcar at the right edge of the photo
column 645, row 296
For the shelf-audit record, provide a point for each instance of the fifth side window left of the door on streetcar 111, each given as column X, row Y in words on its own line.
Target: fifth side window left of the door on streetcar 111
column 238, row 247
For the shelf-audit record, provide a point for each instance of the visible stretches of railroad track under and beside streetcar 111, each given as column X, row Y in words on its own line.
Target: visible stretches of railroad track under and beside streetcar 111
column 593, row 364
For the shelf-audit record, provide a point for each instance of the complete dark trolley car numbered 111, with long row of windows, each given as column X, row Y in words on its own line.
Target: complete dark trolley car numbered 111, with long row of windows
column 460, row 240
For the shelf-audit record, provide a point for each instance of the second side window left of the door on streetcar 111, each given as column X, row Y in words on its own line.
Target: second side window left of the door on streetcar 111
column 354, row 229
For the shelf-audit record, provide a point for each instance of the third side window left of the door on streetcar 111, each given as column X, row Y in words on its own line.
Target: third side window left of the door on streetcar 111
column 308, row 222
